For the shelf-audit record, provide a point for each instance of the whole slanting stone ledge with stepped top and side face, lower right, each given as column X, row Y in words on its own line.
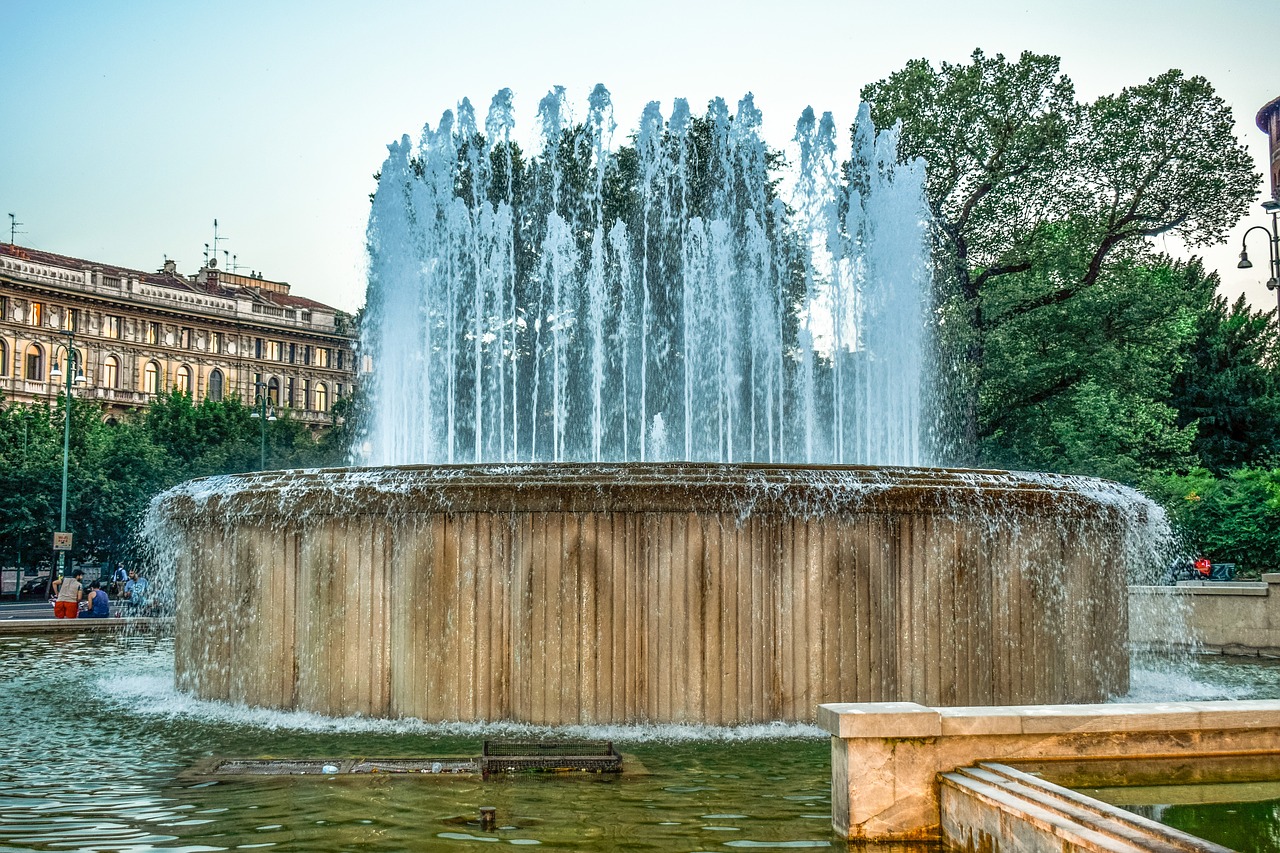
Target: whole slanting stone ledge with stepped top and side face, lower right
column 996, row 808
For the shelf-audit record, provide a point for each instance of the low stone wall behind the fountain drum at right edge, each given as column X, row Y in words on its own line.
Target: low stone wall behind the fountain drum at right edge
column 1232, row 618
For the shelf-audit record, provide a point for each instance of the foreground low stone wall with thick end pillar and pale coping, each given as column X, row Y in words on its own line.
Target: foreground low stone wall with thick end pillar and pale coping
column 886, row 758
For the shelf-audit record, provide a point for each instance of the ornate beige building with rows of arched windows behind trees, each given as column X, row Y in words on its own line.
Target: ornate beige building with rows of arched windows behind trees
column 138, row 335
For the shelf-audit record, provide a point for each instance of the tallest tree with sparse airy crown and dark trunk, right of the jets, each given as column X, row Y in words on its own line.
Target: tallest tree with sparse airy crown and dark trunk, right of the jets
column 1013, row 159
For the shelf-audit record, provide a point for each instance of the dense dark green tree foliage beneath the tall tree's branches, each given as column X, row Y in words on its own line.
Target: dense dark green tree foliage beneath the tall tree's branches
column 1084, row 386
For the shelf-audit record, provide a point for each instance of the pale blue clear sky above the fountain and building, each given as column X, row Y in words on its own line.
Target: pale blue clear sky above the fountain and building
column 127, row 127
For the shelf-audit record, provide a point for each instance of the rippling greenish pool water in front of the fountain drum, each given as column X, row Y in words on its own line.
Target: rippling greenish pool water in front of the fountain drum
column 99, row 749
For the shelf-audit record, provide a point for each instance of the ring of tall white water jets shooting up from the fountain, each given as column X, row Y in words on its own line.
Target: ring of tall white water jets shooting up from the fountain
column 653, row 302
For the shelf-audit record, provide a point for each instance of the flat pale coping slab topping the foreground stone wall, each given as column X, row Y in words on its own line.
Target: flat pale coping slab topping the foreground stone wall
column 908, row 720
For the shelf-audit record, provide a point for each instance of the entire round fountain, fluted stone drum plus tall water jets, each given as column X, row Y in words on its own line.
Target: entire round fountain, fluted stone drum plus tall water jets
column 552, row 332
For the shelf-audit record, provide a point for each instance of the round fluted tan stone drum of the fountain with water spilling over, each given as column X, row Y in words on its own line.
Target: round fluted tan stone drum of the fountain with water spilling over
column 723, row 595
